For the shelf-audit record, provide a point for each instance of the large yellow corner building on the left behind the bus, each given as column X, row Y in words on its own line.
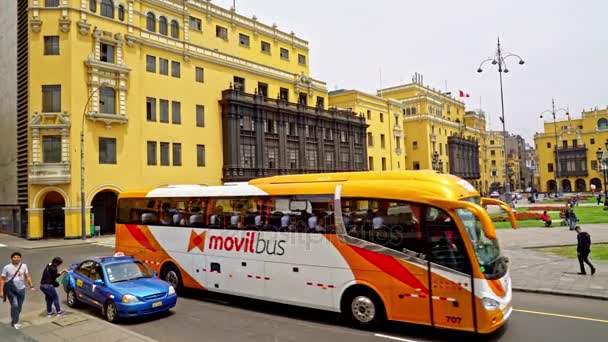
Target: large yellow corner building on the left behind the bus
column 144, row 80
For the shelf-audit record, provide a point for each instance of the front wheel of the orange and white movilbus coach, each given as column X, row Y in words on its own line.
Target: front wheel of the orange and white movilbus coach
column 363, row 308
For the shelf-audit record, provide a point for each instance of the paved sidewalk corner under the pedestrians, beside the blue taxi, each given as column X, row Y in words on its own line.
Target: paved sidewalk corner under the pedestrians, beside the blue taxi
column 72, row 326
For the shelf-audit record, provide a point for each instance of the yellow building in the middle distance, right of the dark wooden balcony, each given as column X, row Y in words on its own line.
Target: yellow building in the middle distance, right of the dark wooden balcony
column 410, row 126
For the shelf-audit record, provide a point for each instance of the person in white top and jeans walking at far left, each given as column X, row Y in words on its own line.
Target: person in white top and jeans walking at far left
column 12, row 286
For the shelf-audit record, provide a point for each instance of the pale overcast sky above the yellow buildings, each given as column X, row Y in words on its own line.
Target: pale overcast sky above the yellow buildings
column 564, row 44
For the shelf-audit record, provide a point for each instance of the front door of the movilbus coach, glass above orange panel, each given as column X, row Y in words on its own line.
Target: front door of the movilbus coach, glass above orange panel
column 450, row 276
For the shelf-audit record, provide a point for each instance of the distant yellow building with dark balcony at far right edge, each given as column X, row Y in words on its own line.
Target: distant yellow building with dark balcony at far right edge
column 577, row 141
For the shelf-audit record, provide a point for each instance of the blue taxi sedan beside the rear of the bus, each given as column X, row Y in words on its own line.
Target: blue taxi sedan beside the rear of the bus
column 121, row 286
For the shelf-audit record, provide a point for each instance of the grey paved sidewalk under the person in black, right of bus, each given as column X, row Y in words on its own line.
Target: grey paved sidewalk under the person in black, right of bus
column 534, row 271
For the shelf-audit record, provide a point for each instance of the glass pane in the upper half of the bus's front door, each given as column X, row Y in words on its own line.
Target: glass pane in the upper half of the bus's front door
column 447, row 246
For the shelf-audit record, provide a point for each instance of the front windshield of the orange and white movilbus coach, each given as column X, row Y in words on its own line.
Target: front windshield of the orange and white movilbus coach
column 487, row 250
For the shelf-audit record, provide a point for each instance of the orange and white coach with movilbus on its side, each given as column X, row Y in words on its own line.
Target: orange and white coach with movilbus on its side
column 413, row 246
